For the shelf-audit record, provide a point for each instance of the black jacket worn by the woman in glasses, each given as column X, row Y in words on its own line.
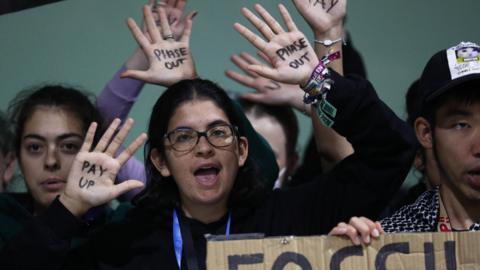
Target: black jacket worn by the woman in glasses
column 361, row 185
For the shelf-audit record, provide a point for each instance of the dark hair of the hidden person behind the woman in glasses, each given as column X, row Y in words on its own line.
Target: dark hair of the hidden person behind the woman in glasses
column 284, row 115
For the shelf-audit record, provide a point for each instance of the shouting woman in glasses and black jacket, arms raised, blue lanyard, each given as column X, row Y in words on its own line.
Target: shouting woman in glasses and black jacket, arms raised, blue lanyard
column 202, row 179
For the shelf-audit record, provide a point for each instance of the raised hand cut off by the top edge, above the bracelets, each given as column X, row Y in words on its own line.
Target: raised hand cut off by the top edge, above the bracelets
column 322, row 15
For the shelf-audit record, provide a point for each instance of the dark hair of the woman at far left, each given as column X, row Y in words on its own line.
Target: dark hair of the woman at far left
column 69, row 99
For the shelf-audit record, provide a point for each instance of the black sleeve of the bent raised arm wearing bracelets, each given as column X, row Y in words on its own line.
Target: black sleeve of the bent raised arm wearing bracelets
column 361, row 184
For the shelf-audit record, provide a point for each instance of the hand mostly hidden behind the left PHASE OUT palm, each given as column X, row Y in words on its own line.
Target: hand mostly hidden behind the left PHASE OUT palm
column 174, row 11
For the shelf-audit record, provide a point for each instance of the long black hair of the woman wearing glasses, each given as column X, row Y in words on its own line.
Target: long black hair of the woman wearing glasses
column 162, row 192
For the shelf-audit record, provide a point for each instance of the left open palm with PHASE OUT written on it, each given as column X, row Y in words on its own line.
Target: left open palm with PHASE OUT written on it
column 169, row 60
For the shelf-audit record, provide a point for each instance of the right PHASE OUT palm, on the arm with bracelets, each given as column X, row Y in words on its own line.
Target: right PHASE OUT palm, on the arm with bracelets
column 292, row 57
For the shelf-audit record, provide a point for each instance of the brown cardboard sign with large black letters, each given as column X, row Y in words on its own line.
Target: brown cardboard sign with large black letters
column 429, row 251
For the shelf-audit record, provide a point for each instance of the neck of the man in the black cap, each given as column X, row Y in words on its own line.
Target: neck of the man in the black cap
column 461, row 211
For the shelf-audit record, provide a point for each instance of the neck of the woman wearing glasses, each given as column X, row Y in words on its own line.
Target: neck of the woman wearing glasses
column 204, row 213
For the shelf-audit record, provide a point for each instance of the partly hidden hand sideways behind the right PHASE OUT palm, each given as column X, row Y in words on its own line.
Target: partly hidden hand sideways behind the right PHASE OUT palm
column 268, row 91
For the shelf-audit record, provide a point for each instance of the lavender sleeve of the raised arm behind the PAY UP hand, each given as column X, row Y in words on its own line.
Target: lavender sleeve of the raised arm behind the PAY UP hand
column 116, row 100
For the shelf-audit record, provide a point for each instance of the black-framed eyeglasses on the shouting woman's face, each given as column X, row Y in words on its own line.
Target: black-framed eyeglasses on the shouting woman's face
column 185, row 139
